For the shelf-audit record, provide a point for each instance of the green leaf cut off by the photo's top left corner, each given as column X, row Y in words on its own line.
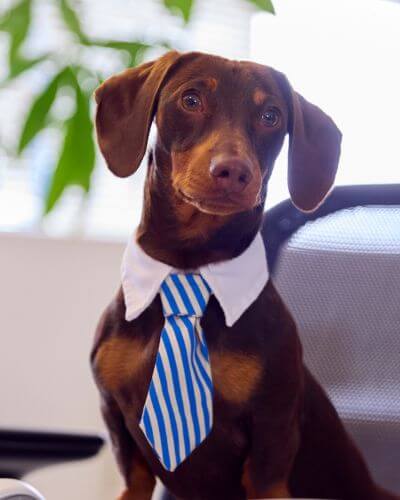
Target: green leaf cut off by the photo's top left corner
column 16, row 22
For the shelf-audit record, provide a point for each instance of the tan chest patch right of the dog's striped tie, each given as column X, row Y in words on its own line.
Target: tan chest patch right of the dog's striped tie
column 235, row 375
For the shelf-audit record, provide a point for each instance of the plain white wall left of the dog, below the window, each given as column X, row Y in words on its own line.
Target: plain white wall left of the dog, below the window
column 51, row 295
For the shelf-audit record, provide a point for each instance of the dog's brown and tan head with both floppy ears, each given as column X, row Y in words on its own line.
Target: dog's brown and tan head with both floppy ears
column 221, row 124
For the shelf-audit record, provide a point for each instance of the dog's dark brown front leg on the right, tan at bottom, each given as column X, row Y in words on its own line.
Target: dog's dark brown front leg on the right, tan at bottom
column 275, row 427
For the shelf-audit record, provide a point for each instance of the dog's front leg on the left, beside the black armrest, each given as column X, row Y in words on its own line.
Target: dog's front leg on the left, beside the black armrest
column 139, row 480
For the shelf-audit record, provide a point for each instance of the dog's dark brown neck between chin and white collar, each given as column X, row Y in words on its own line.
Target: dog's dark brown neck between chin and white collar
column 177, row 233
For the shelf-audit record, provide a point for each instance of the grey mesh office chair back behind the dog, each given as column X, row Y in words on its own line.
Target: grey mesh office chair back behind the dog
column 338, row 271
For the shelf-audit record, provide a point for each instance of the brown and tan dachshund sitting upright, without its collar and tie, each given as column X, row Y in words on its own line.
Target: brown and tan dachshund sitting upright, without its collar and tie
column 220, row 126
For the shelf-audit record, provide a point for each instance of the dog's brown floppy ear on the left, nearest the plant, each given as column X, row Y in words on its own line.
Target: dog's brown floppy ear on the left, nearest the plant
column 126, row 105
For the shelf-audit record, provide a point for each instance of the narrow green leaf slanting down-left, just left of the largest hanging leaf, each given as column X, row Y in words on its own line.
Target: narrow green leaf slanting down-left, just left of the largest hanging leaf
column 39, row 111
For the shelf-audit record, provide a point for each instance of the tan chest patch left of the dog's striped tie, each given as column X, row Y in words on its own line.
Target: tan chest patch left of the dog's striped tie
column 119, row 359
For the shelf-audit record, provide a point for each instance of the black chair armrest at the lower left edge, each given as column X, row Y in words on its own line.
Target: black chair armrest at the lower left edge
column 22, row 451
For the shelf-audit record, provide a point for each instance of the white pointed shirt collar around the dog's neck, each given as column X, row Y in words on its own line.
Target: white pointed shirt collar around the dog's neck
column 236, row 283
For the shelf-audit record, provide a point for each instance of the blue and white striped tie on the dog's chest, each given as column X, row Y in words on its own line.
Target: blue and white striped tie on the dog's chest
column 177, row 415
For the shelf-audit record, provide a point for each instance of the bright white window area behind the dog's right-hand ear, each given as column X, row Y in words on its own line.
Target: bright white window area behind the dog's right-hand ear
column 344, row 57
